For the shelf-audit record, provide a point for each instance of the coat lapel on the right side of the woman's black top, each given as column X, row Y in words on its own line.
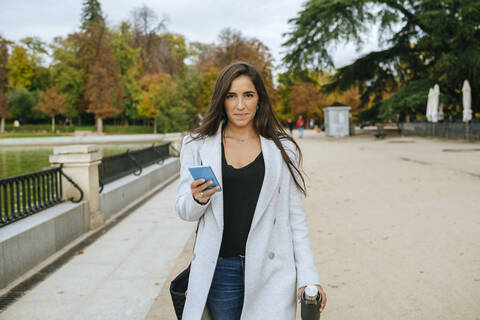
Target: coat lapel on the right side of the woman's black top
column 273, row 162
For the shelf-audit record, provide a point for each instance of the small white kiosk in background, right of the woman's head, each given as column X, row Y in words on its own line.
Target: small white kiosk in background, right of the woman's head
column 337, row 120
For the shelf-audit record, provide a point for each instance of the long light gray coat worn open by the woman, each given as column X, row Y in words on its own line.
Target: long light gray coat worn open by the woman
column 278, row 257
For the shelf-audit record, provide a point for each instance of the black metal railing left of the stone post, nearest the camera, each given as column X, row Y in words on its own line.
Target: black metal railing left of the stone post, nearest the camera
column 26, row 194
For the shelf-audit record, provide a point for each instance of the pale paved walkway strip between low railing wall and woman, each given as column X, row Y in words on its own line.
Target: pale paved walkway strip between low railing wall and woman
column 119, row 275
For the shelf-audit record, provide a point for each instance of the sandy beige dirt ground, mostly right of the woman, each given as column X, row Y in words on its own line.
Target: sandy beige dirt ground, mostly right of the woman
column 395, row 228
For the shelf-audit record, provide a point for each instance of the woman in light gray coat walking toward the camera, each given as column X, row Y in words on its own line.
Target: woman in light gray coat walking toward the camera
column 252, row 254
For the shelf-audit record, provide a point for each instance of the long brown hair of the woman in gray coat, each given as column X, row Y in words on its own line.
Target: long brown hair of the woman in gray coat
column 265, row 121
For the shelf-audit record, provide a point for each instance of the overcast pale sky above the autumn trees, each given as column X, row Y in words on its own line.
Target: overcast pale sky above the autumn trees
column 201, row 21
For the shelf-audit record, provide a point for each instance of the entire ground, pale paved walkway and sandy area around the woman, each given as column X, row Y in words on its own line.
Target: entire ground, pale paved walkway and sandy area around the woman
column 395, row 226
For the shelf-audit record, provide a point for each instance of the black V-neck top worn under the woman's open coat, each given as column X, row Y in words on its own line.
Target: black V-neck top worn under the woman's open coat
column 241, row 188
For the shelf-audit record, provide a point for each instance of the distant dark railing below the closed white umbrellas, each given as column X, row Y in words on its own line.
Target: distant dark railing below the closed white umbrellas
column 450, row 130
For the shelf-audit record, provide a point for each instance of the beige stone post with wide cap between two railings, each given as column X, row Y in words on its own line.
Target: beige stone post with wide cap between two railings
column 81, row 163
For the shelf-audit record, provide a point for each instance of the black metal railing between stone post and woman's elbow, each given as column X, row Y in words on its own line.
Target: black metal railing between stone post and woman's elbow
column 120, row 165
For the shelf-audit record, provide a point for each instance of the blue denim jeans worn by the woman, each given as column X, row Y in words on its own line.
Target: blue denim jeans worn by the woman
column 225, row 299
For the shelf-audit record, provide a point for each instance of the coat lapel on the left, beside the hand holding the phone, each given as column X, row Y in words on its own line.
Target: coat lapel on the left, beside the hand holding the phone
column 211, row 155
